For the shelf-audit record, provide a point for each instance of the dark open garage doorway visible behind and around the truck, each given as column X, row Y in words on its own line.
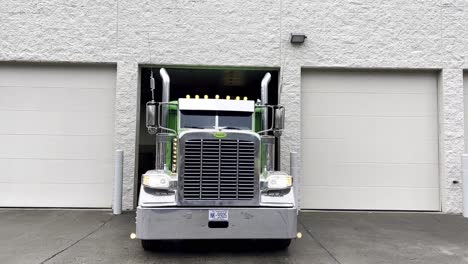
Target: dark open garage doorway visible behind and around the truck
column 231, row 82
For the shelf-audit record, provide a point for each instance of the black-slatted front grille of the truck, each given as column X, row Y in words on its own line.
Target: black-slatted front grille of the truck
column 218, row 169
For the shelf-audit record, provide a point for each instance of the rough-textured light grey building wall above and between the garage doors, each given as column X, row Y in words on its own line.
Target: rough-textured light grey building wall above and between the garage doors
column 397, row 34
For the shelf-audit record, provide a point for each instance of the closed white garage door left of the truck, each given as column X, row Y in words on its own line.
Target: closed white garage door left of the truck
column 56, row 135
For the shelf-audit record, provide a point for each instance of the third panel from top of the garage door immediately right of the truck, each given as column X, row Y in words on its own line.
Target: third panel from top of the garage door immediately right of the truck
column 377, row 127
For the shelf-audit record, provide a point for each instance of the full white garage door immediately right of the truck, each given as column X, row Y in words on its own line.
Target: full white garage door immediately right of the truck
column 370, row 140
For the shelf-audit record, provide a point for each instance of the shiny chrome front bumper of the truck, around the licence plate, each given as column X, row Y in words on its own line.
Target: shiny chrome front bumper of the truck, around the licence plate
column 192, row 223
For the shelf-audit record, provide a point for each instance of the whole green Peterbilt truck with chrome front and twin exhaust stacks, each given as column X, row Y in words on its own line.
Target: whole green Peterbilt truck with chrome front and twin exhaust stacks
column 214, row 175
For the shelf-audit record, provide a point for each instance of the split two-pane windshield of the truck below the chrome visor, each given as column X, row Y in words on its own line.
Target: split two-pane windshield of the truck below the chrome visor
column 214, row 119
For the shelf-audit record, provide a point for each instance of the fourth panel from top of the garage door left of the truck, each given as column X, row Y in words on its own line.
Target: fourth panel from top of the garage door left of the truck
column 56, row 147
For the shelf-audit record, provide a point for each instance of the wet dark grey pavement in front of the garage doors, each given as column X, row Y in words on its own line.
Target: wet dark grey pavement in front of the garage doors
column 74, row 236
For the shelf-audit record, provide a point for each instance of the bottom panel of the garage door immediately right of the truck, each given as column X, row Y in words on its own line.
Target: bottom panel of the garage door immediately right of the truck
column 372, row 198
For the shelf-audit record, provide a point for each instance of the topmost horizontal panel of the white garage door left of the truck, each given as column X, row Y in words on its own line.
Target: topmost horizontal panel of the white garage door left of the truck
column 43, row 76
